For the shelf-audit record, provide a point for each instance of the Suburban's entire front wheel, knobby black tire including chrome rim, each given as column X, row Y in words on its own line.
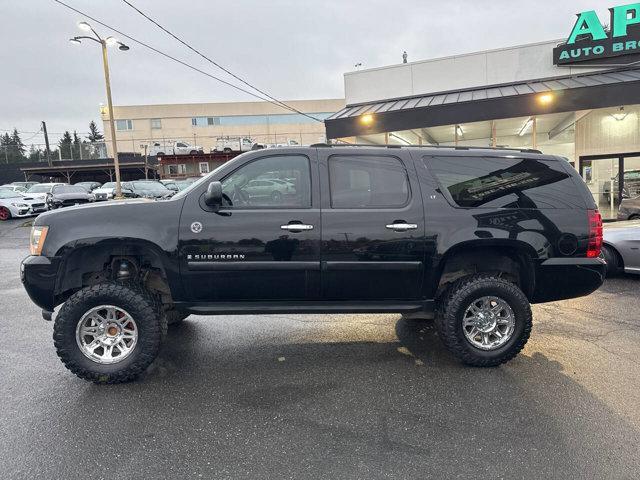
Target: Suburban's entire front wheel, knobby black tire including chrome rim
column 109, row 333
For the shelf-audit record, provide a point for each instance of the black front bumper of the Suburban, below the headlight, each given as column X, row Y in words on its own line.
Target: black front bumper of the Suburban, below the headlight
column 38, row 275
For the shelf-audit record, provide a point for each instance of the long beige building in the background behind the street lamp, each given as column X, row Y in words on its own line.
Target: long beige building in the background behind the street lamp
column 202, row 124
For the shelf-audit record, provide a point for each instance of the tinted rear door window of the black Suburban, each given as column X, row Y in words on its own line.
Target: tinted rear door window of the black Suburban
column 367, row 182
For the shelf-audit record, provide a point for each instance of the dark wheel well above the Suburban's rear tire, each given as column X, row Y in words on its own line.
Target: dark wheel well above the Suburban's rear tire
column 510, row 263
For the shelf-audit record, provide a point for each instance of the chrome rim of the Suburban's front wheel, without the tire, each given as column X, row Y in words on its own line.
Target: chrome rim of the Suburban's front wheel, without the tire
column 106, row 334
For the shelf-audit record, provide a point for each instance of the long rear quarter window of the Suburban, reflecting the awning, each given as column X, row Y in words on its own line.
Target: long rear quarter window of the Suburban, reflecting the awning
column 498, row 182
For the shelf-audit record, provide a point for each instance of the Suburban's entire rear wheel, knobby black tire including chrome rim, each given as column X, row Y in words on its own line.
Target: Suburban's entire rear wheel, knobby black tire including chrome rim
column 484, row 320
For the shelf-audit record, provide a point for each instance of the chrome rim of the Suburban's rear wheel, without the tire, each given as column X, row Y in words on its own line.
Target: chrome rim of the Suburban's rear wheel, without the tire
column 488, row 323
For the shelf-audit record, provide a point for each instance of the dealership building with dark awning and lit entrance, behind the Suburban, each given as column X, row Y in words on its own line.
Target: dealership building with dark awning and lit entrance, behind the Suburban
column 578, row 98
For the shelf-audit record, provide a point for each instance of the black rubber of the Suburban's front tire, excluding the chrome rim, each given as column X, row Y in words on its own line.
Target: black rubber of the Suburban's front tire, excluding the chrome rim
column 150, row 320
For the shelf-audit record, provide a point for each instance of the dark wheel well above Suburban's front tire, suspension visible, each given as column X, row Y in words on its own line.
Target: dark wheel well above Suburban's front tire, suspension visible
column 136, row 263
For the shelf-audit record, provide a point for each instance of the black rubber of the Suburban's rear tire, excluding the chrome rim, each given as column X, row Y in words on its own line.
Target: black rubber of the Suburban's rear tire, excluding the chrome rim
column 455, row 301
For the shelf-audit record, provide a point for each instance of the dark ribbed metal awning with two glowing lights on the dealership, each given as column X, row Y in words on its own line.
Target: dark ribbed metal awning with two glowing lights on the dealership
column 565, row 94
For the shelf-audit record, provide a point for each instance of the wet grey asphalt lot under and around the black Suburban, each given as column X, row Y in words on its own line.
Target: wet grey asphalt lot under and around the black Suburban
column 327, row 396
